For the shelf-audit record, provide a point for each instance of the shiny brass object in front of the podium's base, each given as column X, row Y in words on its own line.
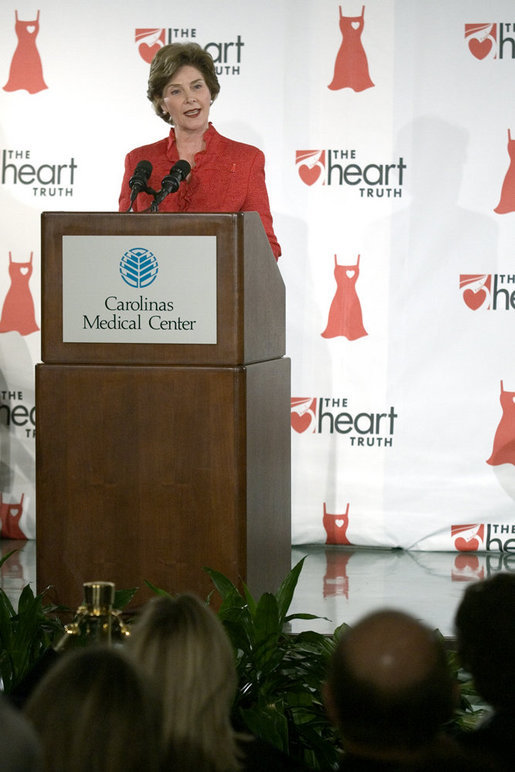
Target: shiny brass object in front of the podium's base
column 95, row 621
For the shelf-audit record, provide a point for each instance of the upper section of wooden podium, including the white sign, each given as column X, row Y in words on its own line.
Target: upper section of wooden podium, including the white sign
column 159, row 288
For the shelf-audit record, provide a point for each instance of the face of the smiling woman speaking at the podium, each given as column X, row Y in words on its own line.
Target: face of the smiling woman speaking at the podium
column 187, row 99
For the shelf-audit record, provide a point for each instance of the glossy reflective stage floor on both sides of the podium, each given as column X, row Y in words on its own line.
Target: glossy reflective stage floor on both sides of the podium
column 341, row 584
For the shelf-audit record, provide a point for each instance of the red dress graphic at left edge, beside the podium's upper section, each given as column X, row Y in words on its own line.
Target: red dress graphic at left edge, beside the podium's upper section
column 18, row 310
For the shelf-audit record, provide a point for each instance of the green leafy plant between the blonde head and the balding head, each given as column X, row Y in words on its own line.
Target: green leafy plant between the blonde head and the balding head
column 280, row 674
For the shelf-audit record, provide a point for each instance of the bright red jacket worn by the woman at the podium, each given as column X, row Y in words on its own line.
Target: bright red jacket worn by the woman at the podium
column 228, row 176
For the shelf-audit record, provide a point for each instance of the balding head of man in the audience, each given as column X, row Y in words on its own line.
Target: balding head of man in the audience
column 389, row 688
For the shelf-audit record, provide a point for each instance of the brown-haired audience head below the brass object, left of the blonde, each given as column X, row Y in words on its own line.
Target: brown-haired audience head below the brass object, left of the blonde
column 94, row 710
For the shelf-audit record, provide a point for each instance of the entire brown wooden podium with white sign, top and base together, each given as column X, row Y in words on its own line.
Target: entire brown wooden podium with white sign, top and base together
column 157, row 454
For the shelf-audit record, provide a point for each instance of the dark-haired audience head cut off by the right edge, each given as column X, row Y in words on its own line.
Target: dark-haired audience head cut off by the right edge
column 485, row 629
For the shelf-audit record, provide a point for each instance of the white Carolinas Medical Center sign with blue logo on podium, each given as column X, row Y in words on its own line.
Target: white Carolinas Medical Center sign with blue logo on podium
column 132, row 289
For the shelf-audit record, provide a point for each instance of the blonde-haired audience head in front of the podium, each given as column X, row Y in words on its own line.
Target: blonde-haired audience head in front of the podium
column 182, row 644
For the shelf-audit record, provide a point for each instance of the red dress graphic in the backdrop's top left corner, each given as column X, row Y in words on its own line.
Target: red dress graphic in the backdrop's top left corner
column 26, row 71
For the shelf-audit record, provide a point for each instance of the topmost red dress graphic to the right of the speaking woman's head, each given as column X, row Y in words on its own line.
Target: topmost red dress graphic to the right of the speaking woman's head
column 351, row 66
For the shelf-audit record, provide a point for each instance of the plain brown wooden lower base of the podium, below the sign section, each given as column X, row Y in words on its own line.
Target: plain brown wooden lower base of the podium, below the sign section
column 155, row 472
